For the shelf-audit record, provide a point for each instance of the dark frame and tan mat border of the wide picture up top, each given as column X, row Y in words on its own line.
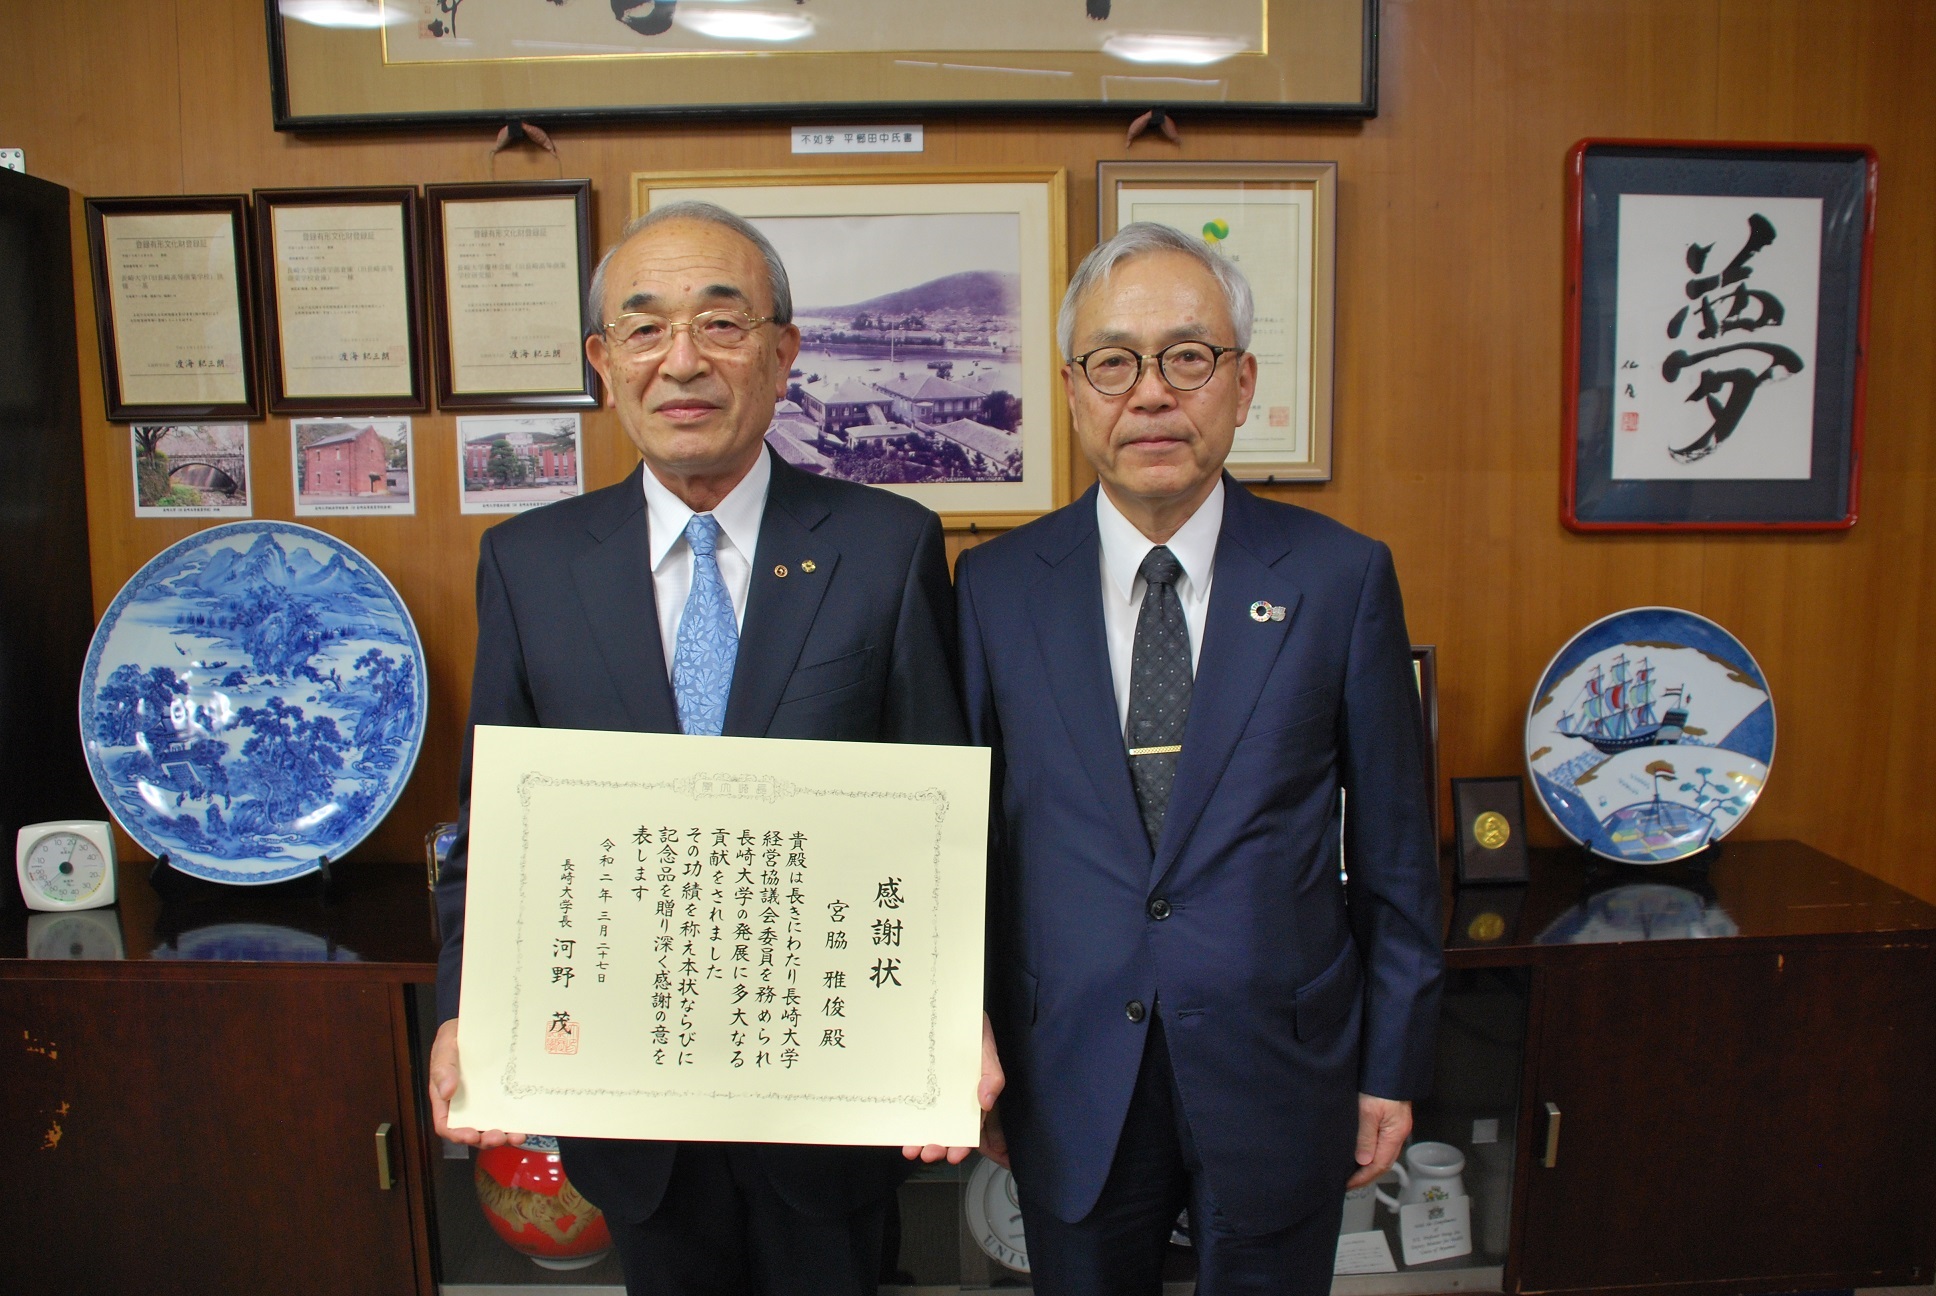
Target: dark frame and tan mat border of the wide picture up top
column 1319, row 61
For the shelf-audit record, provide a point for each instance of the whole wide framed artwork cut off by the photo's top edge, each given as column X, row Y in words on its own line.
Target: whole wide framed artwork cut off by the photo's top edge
column 435, row 63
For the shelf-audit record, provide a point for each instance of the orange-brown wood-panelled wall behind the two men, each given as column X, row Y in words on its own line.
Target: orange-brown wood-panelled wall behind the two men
column 1449, row 340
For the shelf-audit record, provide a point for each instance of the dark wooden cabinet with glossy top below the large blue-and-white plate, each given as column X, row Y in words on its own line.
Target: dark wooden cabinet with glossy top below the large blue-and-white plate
column 175, row 1125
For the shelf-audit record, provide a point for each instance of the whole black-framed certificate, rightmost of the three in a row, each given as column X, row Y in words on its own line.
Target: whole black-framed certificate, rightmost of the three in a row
column 508, row 274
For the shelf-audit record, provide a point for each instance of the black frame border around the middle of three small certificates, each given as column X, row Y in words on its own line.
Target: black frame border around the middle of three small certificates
column 406, row 201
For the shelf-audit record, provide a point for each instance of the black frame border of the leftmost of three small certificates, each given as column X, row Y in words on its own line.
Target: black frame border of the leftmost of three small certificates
column 125, row 406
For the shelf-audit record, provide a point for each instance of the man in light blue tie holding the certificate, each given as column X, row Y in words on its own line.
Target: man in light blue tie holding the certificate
column 713, row 592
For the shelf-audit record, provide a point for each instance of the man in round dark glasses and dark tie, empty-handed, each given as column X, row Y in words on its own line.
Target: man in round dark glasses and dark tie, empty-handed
column 1180, row 681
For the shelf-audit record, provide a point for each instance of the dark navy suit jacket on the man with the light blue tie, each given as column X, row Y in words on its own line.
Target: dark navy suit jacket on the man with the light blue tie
column 861, row 648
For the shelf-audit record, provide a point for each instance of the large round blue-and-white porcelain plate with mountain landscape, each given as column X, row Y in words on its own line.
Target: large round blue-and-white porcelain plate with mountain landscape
column 253, row 702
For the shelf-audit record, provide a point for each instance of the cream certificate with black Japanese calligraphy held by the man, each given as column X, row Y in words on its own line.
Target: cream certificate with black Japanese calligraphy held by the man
column 723, row 939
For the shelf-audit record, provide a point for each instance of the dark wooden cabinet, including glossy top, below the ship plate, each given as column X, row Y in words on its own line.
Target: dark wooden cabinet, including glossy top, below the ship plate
column 1741, row 1059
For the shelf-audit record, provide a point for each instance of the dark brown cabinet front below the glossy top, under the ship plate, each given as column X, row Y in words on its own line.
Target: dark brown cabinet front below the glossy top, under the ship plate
column 1745, row 1119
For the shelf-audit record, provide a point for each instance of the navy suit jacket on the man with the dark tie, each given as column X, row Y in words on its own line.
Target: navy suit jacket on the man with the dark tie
column 1285, row 989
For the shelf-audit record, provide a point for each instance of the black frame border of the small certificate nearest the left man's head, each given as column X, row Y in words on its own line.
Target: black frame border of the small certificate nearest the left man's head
column 437, row 199
